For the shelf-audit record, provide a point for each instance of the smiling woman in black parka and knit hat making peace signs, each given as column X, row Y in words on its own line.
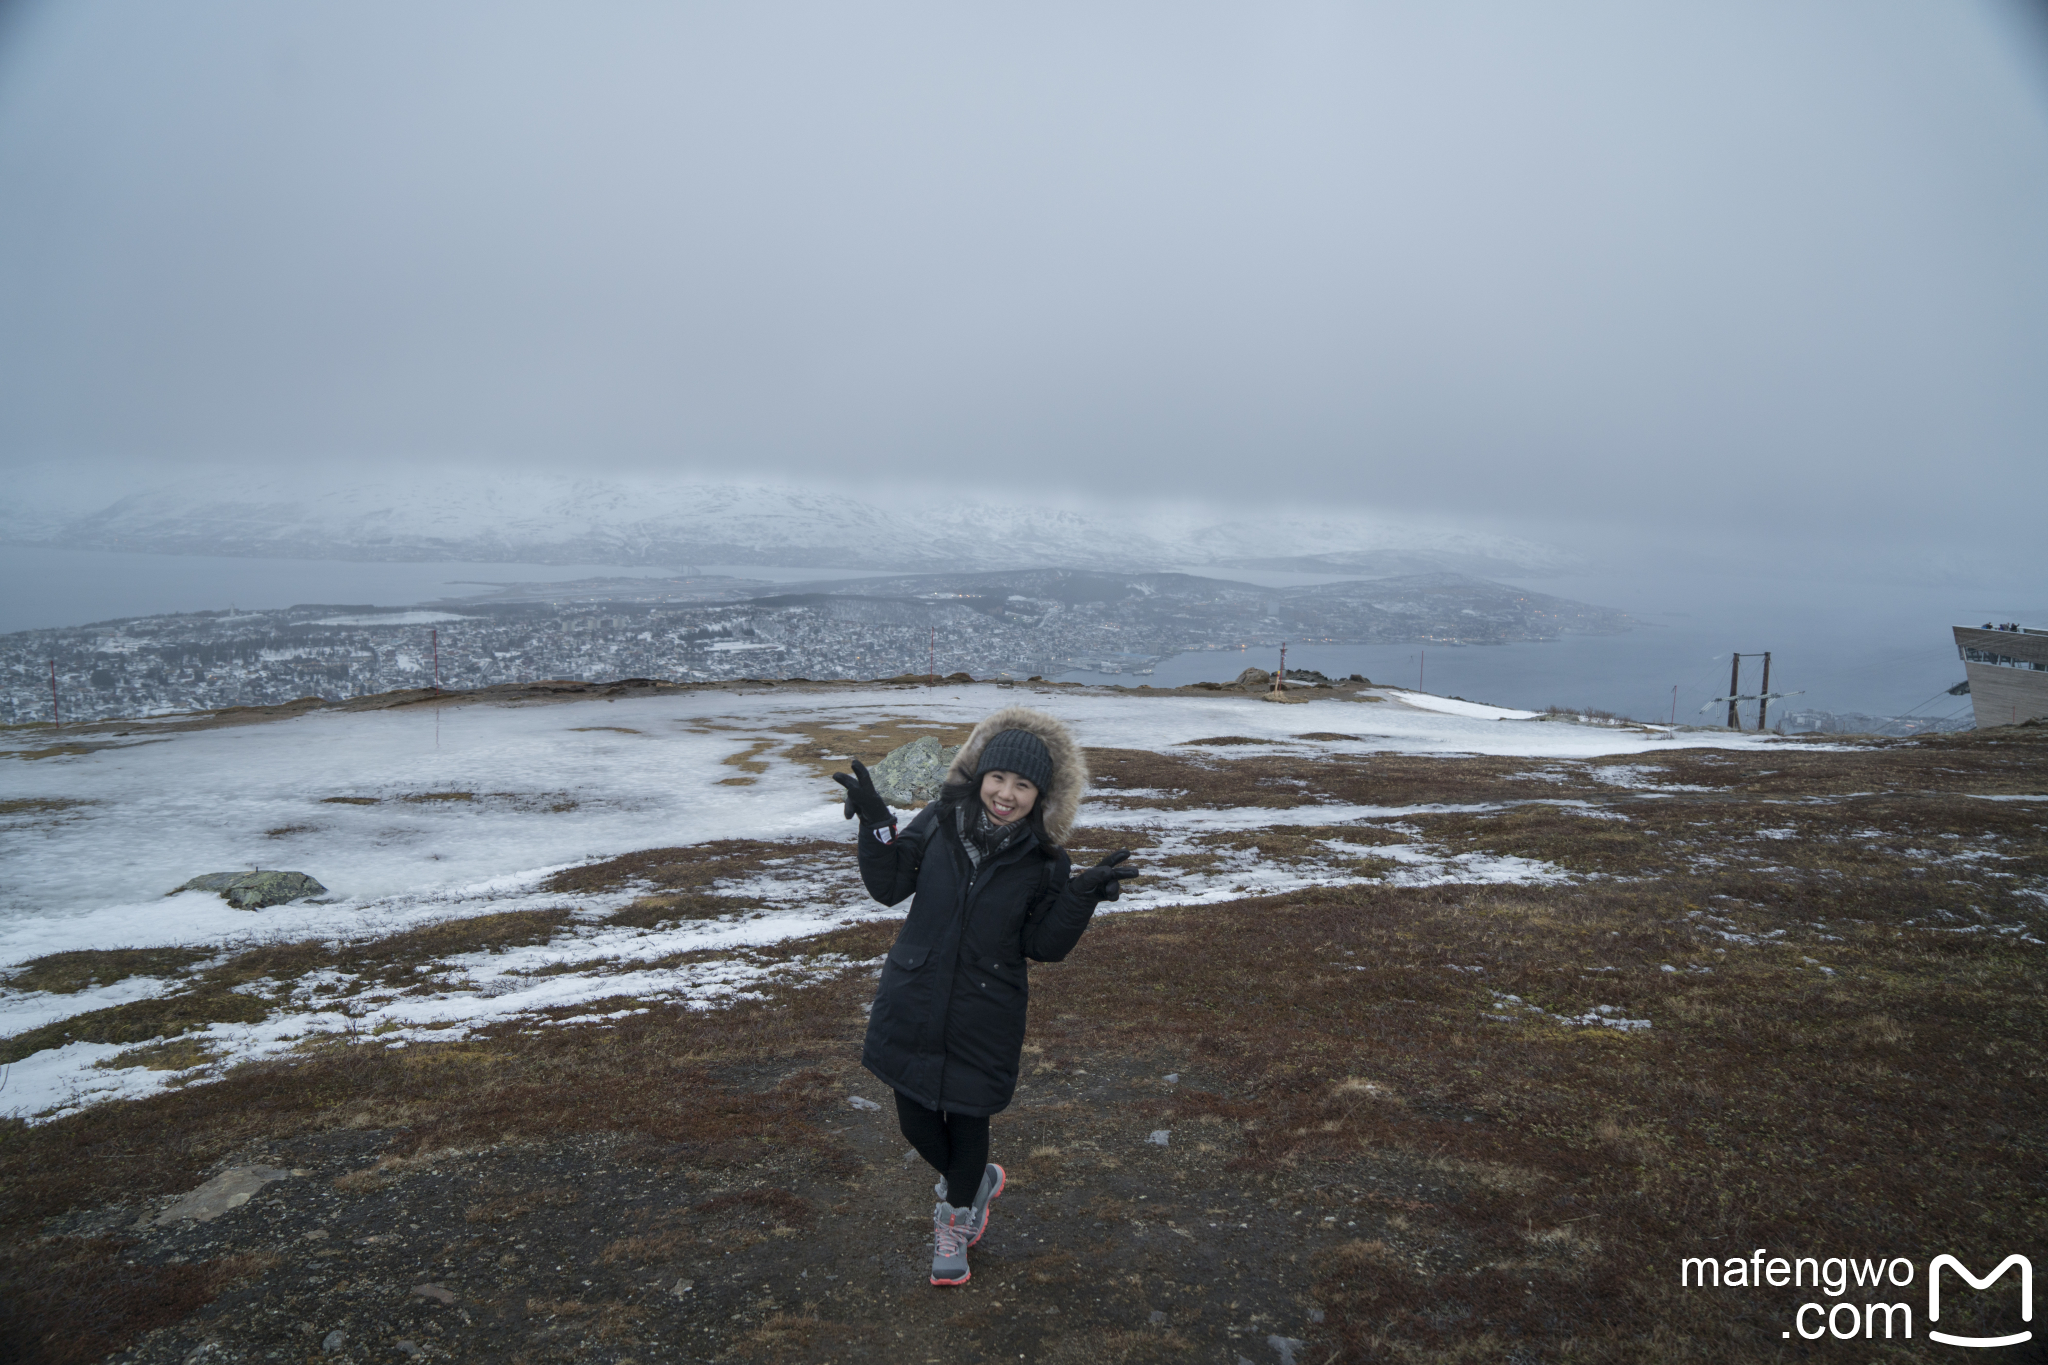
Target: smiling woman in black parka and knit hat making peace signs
column 992, row 891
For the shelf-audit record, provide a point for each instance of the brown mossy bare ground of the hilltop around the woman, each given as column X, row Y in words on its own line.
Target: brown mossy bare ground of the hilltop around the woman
column 1402, row 1125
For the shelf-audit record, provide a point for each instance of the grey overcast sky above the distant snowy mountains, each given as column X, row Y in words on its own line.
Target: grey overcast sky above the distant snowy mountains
column 1676, row 271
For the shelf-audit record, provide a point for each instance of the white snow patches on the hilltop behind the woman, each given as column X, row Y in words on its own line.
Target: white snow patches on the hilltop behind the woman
column 417, row 818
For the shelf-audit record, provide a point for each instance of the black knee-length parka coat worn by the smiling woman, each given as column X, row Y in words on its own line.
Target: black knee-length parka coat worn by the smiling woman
column 947, row 1026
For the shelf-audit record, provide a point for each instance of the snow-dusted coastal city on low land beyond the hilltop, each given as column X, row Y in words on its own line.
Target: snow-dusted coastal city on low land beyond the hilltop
column 988, row 625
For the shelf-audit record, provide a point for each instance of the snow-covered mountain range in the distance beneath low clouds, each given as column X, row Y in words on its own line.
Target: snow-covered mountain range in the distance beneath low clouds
column 542, row 519
